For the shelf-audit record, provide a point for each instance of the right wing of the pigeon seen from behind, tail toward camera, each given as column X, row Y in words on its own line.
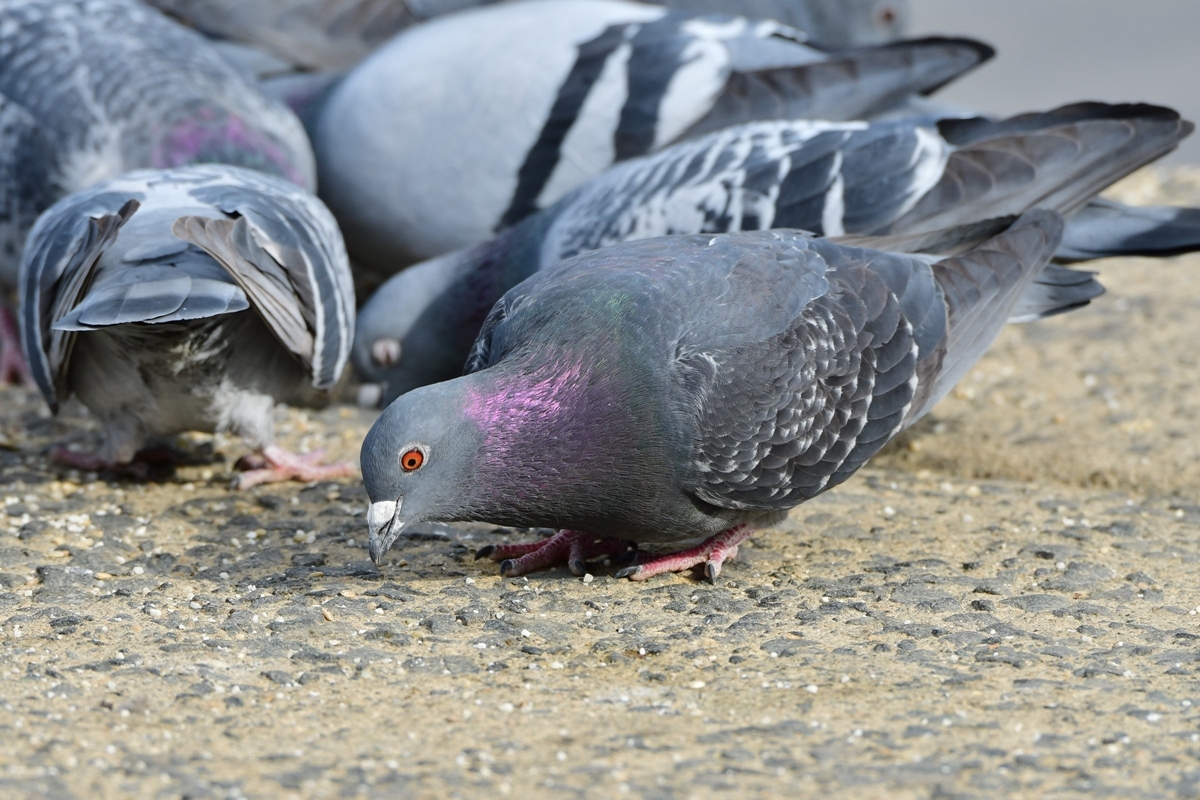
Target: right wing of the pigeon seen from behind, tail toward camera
column 284, row 250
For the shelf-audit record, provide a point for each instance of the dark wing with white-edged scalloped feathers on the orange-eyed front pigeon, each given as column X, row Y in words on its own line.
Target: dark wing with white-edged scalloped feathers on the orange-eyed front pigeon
column 800, row 401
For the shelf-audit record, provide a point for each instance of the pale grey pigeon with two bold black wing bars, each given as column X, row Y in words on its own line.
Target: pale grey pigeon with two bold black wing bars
column 470, row 123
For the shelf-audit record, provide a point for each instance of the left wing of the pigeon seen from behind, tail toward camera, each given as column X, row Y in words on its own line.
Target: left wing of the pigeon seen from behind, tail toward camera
column 57, row 272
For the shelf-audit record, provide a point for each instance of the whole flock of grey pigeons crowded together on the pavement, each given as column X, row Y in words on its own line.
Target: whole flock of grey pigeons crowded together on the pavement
column 639, row 273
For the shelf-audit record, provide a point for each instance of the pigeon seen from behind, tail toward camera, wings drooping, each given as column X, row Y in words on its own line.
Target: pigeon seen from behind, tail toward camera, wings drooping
column 189, row 299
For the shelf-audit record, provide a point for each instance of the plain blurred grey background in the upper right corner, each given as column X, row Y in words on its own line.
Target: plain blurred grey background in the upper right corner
column 1051, row 52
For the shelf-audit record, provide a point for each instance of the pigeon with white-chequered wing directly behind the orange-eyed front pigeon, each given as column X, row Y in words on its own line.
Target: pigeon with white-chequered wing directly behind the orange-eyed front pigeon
column 827, row 178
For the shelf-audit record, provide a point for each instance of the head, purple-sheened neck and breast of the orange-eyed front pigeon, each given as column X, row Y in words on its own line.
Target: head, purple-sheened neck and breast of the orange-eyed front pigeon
column 553, row 441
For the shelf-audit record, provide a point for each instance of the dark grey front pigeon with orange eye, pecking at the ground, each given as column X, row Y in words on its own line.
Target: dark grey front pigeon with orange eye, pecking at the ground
column 697, row 387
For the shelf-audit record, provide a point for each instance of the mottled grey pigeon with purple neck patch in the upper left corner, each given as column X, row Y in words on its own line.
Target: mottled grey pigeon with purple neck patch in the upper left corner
column 92, row 89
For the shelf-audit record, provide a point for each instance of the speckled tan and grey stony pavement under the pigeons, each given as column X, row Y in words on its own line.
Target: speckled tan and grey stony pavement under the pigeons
column 1003, row 604
